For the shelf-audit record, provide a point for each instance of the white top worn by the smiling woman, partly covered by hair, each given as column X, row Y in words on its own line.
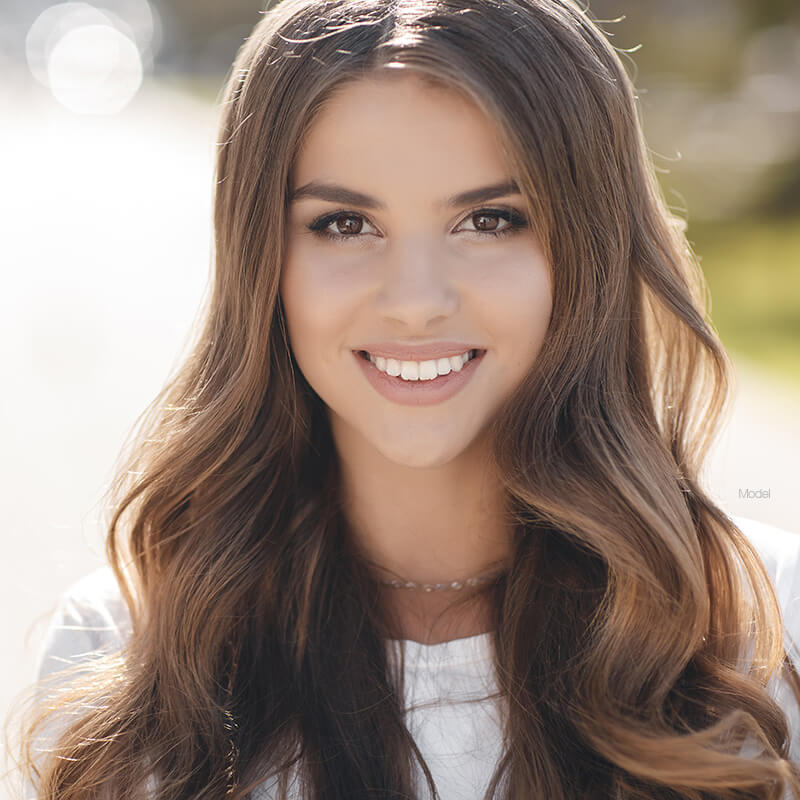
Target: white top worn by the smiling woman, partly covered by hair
column 460, row 741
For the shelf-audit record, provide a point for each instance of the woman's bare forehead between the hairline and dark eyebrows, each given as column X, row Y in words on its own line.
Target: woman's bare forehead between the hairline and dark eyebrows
column 394, row 122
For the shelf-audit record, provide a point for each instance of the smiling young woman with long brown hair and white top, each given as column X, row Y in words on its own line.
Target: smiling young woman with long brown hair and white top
column 422, row 513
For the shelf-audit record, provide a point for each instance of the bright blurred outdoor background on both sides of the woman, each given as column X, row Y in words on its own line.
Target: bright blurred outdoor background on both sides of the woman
column 107, row 126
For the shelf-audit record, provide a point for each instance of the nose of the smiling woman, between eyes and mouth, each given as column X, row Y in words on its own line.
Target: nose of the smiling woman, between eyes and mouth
column 417, row 289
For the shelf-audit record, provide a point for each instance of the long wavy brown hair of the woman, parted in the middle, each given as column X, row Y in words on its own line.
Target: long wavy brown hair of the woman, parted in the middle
column 636, row 629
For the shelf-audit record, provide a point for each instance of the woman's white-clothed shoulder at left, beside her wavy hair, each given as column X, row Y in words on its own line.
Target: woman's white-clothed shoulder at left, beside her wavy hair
column 91, row 619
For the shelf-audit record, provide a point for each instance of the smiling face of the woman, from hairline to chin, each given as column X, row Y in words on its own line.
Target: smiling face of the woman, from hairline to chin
column 406, row 267
